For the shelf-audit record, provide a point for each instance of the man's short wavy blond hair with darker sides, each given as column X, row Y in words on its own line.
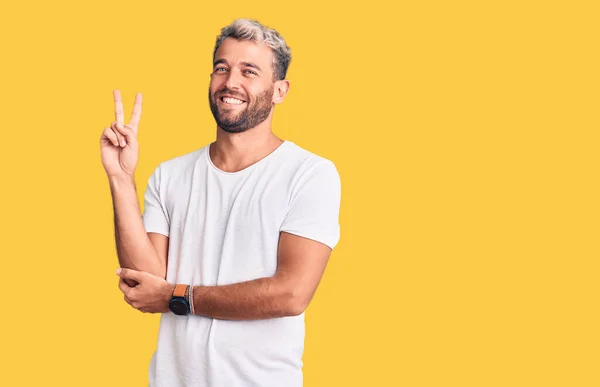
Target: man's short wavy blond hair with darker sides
column 248, row 29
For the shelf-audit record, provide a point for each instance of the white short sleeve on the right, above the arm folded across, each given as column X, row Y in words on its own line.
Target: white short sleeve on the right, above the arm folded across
column 315, row 205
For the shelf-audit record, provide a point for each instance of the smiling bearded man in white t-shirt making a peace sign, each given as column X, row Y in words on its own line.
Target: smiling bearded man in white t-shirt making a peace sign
column 235, row 236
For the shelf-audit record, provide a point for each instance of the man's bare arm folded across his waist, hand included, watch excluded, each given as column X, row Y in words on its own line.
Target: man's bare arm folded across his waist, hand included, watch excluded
column 300, row 266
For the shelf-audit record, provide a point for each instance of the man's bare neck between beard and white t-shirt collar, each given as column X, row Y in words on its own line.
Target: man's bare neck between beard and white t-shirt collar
column 232, row 152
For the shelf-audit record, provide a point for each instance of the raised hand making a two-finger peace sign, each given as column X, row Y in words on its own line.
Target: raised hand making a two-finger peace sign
column 118, row 144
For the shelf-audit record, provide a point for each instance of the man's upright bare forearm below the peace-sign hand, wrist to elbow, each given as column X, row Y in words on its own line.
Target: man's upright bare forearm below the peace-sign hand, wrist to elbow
column 134, row 248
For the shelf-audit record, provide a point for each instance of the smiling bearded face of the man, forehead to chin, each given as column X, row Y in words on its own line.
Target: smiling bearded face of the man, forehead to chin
column 241, row 91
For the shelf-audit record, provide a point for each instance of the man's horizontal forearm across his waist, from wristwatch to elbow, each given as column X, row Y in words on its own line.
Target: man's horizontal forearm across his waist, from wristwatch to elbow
column 252, row 300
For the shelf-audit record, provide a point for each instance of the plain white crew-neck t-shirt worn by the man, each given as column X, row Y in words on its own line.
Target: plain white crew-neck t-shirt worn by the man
column 223, row 228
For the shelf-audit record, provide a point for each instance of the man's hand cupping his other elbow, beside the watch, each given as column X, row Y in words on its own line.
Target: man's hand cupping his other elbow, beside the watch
column 151, row 294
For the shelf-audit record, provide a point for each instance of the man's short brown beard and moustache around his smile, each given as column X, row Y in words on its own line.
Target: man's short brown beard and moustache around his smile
column 256, row 111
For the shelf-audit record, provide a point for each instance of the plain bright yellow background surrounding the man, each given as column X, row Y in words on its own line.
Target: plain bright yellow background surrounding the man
column 466, row 136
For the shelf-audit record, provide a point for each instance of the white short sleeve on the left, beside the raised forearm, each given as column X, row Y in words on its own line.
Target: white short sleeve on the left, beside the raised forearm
column 155, row 216
